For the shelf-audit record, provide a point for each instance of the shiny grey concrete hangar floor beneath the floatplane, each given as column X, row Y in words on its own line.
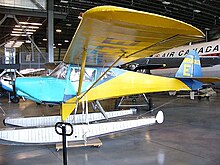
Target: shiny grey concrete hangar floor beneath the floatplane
column 189, row 135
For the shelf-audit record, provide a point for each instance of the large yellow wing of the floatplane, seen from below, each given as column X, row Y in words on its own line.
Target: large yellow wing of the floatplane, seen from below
column 106, row 32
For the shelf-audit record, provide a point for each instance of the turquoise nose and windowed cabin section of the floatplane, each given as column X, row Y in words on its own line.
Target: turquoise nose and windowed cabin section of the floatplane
column 61, row 84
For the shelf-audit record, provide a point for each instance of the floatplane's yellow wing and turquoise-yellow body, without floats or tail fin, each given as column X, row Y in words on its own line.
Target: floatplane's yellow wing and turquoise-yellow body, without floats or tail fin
column 106, row 35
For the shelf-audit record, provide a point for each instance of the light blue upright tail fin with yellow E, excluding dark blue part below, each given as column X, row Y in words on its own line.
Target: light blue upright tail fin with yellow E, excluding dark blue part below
column 190, row 66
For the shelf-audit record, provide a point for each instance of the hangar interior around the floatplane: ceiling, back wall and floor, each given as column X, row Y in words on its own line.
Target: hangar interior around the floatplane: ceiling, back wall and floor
column 35, row 32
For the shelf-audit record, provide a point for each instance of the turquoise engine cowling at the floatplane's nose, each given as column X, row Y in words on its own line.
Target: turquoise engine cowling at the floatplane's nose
column 41, row 89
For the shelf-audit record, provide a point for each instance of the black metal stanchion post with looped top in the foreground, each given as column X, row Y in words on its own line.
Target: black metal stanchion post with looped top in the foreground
column 63, row 126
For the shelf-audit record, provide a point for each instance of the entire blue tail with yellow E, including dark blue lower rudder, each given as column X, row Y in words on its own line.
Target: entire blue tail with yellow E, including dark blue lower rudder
column 190, row 71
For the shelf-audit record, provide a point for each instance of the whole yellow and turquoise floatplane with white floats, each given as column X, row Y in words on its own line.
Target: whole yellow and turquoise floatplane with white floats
column 106, row 37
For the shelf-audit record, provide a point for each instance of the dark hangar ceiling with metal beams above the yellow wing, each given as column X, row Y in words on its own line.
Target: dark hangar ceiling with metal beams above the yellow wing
column 204, row 14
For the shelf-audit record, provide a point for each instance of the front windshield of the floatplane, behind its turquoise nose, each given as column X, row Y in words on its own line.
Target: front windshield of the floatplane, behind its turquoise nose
column 60, row 71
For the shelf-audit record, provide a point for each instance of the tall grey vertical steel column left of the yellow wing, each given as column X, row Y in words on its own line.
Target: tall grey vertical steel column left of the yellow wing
column 50, row 6
